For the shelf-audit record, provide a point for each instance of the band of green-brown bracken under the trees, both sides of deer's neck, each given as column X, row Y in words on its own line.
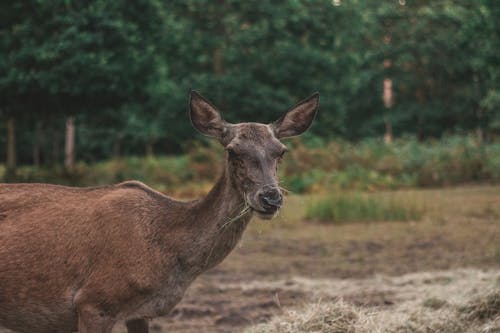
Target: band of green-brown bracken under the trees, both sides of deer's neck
column 332, row 166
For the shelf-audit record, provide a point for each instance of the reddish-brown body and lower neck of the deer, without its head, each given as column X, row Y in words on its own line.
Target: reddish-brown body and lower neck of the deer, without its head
column 141, row 242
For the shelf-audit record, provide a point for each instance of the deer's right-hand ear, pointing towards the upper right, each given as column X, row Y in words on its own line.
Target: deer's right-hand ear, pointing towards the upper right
column 298, row 119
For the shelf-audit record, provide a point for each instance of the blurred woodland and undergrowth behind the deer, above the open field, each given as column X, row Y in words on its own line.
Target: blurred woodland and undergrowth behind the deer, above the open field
column 409, row 89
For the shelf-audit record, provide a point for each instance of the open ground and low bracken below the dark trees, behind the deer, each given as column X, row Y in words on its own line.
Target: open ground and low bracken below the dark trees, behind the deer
column 392, row 243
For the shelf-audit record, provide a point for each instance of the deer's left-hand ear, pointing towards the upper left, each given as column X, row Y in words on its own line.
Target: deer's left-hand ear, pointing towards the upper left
column 205, row 117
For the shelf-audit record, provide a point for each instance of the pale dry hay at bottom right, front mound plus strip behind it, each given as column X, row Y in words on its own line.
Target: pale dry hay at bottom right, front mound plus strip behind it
column 473, row 306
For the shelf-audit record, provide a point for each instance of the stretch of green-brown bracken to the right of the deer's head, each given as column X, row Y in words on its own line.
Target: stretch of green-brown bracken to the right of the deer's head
column 371, row 164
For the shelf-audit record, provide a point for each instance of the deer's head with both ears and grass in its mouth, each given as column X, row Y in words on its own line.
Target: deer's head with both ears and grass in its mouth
column 254, row 150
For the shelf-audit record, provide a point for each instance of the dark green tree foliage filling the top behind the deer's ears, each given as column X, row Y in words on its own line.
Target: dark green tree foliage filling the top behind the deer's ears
column 124, row 69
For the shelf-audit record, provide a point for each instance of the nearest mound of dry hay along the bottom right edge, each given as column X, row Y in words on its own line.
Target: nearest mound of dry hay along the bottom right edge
column 480, row 314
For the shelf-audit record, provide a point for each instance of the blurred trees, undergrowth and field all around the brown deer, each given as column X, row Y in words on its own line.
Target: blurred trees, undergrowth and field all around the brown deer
column 398, row 174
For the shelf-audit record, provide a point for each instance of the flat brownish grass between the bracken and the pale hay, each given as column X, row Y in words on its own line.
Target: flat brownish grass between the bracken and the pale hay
column 460, row 227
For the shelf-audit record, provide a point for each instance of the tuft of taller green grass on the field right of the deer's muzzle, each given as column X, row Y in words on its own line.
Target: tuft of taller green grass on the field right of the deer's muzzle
column 359, row 207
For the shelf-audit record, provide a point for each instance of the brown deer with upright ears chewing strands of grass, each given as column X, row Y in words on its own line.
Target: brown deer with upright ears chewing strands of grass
column 84, row 258
